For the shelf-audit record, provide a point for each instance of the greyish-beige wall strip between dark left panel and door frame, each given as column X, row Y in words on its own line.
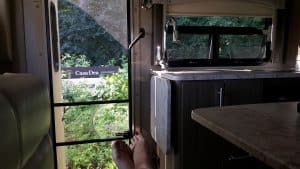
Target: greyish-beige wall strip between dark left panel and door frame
column 36, row 39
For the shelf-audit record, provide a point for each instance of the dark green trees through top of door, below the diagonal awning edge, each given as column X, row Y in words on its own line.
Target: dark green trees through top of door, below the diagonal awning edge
column 80, row 34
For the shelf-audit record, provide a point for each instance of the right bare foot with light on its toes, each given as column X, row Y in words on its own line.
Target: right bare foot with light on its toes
column 141, row 156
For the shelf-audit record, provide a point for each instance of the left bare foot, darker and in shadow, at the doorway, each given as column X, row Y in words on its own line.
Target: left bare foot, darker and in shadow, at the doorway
column 122, row 155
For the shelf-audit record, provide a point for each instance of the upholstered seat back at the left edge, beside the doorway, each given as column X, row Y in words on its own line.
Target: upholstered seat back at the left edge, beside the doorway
column 28, row 104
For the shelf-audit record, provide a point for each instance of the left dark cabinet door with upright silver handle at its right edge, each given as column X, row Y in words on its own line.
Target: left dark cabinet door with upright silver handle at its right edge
column 193, row 148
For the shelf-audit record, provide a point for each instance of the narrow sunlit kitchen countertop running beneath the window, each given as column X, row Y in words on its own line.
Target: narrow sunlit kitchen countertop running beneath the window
column 219, row 73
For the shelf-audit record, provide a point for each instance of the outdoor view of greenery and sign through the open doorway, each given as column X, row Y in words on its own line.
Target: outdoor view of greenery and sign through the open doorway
column 91, row 101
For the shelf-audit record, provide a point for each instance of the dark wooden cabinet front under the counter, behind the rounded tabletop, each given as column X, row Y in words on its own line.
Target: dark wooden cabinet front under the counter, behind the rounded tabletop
column 193, row 144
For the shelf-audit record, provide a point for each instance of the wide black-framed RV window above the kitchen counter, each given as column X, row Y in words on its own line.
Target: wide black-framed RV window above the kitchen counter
column 216, row 40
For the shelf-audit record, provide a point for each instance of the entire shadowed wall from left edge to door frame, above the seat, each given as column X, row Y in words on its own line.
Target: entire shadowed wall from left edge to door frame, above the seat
column 23, row 37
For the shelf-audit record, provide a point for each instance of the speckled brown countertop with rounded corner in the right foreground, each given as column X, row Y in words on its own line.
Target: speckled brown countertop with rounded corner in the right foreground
column 270, row 132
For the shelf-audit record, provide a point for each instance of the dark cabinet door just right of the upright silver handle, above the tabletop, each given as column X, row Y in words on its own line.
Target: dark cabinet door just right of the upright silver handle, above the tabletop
column 248, row 91
